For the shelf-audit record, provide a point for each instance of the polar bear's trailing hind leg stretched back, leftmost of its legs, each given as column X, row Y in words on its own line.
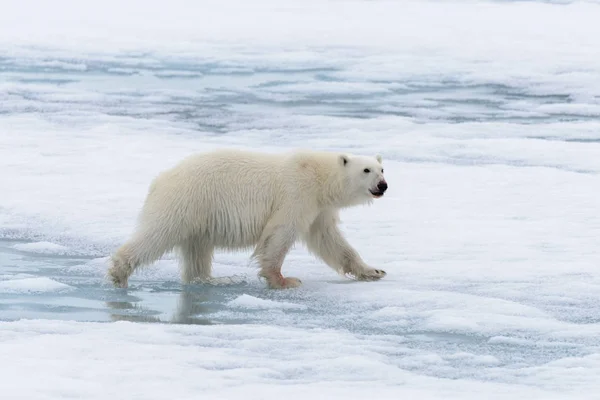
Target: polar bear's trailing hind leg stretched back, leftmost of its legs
column 144, row 248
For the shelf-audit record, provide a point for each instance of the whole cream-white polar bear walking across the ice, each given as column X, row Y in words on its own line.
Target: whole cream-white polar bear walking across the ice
column 237, row 199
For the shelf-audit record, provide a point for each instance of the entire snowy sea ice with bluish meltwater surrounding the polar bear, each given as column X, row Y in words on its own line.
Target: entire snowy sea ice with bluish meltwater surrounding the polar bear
column 485, row 114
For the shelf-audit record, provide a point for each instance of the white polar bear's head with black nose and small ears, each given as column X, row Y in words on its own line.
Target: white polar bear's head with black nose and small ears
column 364, row 178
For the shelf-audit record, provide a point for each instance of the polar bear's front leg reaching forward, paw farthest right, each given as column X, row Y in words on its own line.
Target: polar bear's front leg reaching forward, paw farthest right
column 325, row 240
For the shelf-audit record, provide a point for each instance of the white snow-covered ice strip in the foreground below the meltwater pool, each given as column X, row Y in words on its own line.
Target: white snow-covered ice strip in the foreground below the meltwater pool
column 98, row 361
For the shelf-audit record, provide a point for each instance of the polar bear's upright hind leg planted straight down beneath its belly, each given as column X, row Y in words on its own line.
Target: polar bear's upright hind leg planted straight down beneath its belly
column 197, row 260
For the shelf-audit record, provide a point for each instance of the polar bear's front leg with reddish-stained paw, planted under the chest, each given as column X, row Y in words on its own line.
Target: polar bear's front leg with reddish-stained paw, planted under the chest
column 270, row 252
